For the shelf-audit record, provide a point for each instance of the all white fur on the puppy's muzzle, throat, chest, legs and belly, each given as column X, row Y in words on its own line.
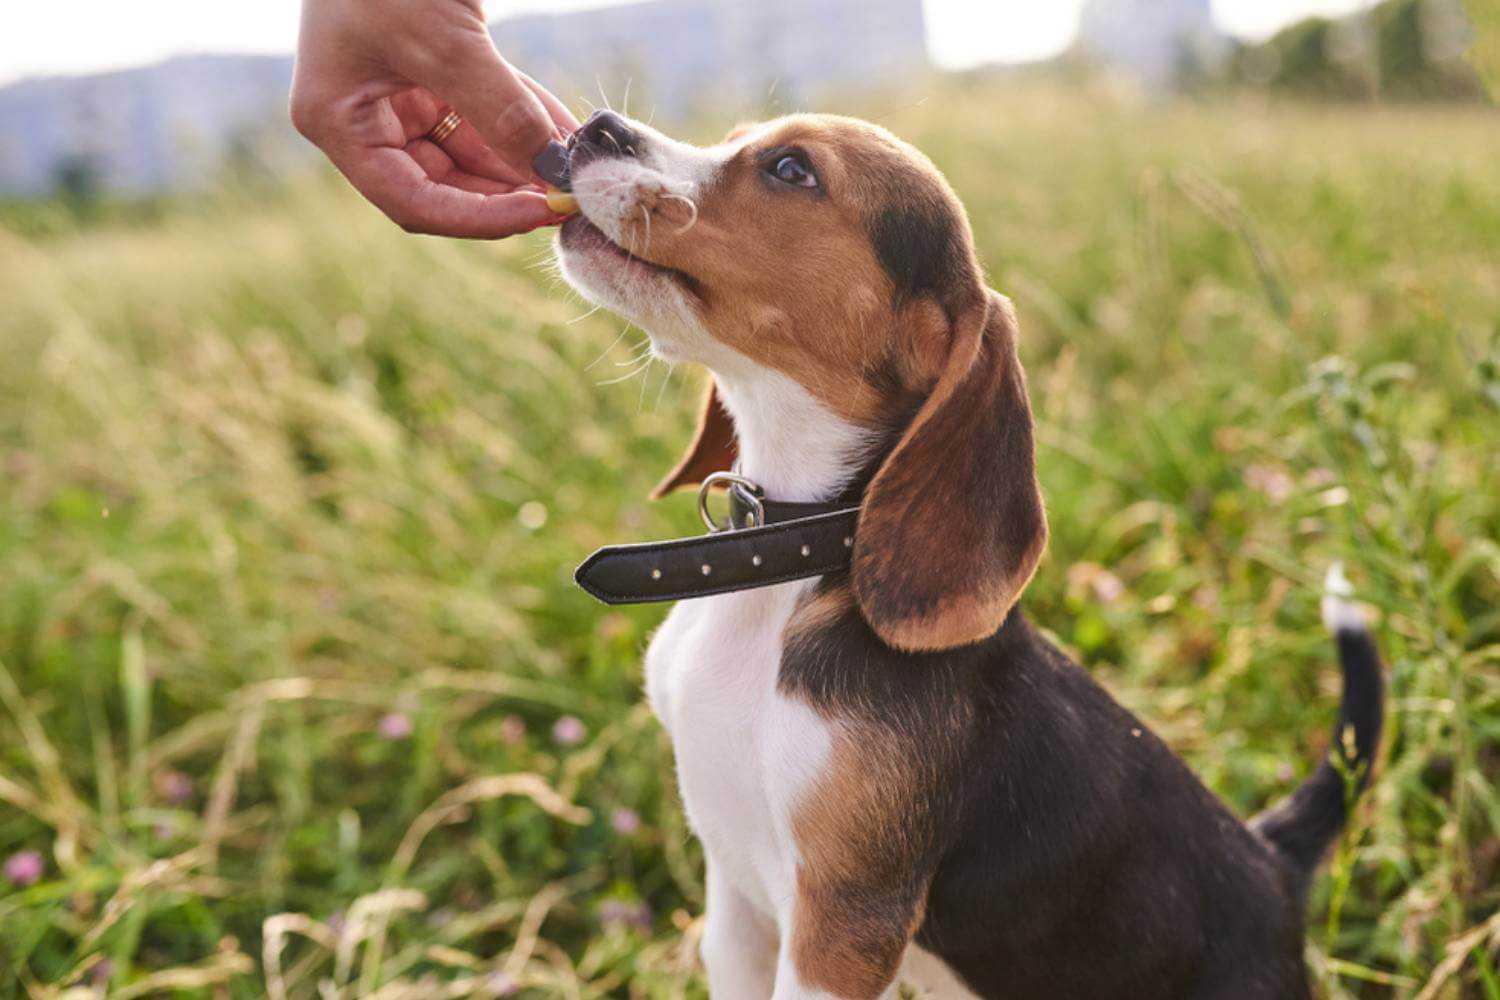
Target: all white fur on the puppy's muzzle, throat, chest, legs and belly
column 746, row 753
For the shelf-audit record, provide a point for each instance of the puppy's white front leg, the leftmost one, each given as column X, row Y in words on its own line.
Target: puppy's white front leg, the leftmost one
column 739, row 945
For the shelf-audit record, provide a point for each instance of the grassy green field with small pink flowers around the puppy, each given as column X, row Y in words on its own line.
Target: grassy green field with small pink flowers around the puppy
column 298, row 698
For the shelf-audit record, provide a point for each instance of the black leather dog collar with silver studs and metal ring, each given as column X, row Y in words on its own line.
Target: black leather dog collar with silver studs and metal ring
column 761, row 543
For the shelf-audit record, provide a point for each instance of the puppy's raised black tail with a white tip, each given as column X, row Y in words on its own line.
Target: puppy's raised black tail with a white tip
column 1303, row 825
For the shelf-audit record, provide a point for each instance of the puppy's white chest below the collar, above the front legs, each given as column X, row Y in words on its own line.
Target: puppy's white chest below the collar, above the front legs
column 745, row 752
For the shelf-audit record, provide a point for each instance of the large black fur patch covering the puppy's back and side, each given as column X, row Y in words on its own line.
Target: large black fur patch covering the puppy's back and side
column 1072, row 854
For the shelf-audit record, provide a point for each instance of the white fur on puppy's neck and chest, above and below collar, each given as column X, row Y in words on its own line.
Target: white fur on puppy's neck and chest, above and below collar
column 745, row 752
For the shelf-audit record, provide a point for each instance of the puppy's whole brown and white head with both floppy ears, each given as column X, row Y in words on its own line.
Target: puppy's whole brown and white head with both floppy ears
column 827, row 251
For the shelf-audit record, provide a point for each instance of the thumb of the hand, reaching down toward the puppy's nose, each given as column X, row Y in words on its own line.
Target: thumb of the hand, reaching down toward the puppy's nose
column 494, row 98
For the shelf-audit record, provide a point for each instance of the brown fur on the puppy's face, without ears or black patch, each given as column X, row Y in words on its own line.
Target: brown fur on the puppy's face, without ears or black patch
column 832, row 326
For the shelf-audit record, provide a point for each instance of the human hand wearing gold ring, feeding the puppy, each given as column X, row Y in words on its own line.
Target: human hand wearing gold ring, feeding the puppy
column 373, row 80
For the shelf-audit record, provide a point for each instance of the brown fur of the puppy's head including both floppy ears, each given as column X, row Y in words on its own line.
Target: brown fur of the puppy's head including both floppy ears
column 889, row 310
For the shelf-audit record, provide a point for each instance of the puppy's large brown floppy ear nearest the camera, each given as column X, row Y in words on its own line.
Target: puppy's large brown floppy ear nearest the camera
column 953, row 525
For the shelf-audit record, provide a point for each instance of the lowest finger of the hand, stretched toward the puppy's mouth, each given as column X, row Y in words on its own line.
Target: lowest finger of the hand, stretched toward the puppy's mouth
column 395, row 184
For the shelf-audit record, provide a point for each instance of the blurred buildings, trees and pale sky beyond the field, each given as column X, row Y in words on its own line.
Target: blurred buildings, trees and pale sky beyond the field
column 169, row 95
